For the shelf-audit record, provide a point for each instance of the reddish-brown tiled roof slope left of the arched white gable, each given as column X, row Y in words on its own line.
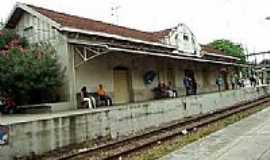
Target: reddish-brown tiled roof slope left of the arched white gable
column 99, row 26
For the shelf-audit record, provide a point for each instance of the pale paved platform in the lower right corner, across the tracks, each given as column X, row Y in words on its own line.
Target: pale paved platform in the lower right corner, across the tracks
column 248, row 139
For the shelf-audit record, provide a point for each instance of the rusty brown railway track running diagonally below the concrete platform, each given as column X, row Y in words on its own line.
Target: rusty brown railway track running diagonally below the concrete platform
column 114, row 150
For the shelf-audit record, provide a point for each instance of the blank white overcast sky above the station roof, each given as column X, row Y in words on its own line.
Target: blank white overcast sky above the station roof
column 242, row 21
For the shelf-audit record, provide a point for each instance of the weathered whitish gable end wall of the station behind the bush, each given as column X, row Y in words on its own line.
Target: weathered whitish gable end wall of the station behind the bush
column 37, row 30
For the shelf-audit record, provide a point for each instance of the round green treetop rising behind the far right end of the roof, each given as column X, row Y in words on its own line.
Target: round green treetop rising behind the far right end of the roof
column 229, row 48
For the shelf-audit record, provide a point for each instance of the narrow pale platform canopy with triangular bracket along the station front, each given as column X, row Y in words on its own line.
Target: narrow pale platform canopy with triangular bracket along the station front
column 88, row 51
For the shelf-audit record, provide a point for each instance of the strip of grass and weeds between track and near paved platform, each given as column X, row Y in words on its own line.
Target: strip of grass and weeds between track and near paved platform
column 179, row 142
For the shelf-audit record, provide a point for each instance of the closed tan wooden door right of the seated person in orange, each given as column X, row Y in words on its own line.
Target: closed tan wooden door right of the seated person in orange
column 121, row 86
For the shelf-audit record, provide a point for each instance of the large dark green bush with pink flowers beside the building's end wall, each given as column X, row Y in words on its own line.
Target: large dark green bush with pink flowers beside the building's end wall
column 29, row 74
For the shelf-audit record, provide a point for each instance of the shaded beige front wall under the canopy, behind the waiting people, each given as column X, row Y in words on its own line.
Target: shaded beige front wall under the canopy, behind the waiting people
column 100, row 71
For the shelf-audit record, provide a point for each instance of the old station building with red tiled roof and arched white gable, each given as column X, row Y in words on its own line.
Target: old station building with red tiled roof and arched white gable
column 120, row 58
